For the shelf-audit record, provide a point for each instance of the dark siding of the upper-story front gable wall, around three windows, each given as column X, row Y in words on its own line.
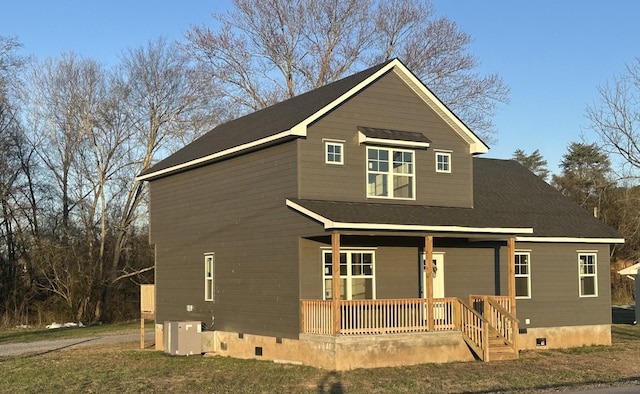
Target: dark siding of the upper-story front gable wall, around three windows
column 389, row 104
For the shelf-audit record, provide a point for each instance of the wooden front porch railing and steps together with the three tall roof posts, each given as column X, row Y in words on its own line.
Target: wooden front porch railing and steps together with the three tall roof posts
column 487, row 324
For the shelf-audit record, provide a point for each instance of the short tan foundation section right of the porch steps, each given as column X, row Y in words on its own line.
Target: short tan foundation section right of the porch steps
column 565, row 337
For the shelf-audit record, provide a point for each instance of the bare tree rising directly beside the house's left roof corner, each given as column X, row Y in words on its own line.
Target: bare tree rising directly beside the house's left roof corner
column 165, row 103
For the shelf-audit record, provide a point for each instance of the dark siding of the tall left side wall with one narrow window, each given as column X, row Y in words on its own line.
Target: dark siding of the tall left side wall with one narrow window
column 236, row 209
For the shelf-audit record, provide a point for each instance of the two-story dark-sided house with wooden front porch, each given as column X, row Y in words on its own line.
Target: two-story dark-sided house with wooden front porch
column 370, row 188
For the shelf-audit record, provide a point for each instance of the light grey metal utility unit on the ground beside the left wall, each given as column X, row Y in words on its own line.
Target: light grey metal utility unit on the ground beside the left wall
column 182, row 338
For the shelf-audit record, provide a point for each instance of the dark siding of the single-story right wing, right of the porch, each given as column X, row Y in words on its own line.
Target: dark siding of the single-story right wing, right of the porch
column 555, row 299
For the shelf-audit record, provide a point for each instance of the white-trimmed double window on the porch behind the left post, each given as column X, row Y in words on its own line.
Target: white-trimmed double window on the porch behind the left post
column 357, row 275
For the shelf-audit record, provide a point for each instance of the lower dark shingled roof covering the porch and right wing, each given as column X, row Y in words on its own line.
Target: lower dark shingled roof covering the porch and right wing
column 506, row 195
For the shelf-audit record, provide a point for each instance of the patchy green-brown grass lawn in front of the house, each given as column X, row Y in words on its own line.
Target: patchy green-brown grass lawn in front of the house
column 124, row 368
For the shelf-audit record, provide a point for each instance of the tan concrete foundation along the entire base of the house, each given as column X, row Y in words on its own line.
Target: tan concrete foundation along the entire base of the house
column 375, row 351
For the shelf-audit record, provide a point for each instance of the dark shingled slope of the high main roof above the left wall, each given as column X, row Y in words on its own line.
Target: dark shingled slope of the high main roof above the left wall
column 264, row 123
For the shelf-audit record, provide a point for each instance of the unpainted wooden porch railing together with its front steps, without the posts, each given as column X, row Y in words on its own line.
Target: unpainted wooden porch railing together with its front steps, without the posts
column 486, row 323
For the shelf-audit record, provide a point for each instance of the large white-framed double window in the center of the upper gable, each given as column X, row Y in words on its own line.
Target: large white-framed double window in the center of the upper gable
column 390, row 173
